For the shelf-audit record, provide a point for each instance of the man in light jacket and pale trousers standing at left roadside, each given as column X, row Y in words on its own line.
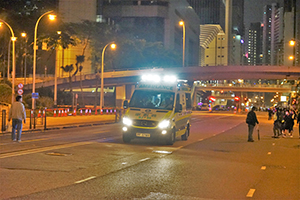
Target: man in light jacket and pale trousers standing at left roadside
column 17, row 113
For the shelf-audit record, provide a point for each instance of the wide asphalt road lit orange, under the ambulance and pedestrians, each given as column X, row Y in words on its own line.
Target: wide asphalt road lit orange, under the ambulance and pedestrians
column 92, row 162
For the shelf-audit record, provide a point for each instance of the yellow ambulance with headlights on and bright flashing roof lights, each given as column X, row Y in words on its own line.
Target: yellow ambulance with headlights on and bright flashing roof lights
column 159, row 109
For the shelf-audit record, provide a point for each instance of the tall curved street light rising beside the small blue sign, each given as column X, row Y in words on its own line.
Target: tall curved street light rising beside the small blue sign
column 51, row 17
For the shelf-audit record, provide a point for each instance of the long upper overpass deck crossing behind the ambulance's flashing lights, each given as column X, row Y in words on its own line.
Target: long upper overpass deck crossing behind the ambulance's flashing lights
column 117, row 78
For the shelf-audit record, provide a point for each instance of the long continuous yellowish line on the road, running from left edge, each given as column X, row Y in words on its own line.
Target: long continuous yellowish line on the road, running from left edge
column 31, row 151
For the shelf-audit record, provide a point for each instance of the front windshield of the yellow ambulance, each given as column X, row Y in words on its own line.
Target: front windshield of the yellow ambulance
column 152, row 99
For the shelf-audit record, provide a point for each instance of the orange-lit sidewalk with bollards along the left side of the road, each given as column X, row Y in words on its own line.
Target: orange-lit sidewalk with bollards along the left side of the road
column 67, row 122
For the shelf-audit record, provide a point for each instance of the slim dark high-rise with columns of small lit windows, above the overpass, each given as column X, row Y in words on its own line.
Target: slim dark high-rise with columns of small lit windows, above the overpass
column 255, row 44
